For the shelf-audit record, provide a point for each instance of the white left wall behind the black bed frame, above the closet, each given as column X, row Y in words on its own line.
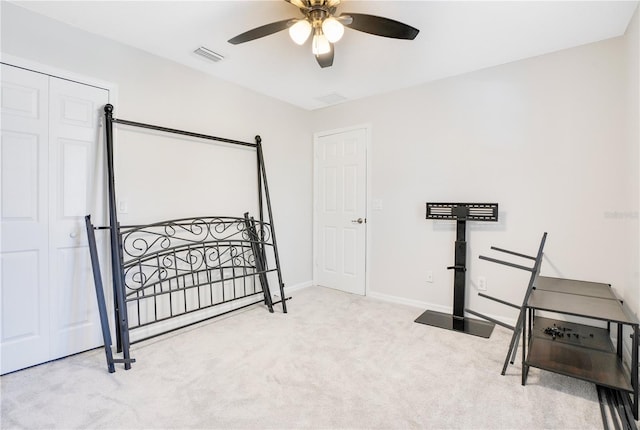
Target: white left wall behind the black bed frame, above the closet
column 160, row 92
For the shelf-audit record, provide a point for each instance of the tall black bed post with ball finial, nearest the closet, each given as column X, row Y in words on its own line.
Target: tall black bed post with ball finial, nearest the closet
column 116, row 250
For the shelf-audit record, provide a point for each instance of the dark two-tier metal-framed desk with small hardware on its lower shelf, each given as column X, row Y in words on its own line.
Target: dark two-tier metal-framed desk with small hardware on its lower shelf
column 580, row 351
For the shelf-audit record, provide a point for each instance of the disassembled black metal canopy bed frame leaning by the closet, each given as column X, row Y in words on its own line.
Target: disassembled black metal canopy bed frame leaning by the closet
column 183, row 270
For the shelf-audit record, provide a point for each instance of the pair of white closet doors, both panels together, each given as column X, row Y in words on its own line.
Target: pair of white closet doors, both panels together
column 51, row 178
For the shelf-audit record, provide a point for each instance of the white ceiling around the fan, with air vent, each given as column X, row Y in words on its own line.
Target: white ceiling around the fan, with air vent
column 455, row 37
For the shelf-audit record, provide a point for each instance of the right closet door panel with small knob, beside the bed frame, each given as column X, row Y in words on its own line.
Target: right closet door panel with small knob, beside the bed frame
column 76, row 181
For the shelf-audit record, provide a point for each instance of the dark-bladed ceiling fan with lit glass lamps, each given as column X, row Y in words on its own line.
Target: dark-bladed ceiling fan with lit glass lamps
column 320, row 19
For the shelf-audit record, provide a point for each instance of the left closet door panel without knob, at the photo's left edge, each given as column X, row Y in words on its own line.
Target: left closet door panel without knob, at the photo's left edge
column 25, row 219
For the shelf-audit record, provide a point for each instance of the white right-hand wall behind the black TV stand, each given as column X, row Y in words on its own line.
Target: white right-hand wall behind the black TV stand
column 546, row 138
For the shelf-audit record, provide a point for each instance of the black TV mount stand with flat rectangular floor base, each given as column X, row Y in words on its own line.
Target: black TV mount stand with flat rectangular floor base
column 461, row 213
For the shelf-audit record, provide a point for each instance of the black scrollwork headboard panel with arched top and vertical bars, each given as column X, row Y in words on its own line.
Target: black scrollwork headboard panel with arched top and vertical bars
column 190, row 257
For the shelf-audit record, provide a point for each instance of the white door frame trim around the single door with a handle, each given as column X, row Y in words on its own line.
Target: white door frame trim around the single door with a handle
column 316, row 136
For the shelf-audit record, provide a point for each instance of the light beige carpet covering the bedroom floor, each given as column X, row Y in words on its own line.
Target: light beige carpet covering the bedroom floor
column 335, row 361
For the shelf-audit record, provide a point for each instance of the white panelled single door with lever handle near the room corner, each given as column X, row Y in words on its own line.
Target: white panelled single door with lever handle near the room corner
column 340, row 210
